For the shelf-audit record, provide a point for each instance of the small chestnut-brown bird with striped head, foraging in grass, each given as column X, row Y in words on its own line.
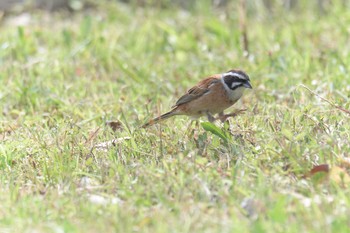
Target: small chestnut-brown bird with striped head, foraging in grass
column 210, row 96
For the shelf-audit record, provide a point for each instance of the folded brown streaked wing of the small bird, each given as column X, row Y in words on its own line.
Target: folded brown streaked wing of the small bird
column 197, row 91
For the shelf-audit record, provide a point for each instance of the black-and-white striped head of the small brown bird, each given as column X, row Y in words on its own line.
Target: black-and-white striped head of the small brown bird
column 235, row 79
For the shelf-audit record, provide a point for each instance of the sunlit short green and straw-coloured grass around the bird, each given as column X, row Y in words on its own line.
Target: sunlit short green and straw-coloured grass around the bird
column 63, row 76
